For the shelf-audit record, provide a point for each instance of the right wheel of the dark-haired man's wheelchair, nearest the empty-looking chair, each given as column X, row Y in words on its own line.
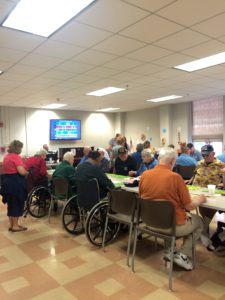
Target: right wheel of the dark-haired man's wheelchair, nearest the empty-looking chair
column 95, row 225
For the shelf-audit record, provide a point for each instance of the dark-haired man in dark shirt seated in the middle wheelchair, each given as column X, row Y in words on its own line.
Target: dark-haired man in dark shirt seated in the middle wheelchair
column 90, row 169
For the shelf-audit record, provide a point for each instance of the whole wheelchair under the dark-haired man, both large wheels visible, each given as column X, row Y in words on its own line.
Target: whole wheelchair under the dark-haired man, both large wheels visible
column 90, row 216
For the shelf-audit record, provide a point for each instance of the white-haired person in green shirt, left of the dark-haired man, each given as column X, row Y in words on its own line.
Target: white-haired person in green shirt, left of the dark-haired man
column 66, row 170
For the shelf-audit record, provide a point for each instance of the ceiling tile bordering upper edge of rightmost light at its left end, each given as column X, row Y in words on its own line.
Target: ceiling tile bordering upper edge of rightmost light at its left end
column 173, row 60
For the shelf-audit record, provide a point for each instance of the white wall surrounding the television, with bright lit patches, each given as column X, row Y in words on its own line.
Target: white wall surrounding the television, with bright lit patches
column 31, row 126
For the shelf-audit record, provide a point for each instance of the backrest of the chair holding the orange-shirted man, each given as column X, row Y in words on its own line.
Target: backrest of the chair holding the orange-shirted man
column 158, row 214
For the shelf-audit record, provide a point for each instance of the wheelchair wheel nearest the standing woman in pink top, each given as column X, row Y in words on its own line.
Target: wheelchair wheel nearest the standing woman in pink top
column 38, row 202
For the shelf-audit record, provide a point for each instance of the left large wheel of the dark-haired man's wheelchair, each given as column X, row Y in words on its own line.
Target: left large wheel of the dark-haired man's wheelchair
column 72, row 219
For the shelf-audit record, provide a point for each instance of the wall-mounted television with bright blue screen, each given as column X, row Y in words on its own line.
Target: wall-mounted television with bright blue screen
column 65, row 129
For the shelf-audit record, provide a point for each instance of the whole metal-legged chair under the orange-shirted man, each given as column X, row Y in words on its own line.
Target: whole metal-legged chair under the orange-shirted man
column 158, row 218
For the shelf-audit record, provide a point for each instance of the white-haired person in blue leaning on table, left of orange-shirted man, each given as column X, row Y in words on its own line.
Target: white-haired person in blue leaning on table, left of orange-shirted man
column 148, row 162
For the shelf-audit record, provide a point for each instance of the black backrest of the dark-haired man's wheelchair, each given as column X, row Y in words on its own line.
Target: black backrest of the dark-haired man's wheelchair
column 88, row 193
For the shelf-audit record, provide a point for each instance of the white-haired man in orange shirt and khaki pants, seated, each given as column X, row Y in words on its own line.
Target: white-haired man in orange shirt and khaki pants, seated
column 162, row 183
